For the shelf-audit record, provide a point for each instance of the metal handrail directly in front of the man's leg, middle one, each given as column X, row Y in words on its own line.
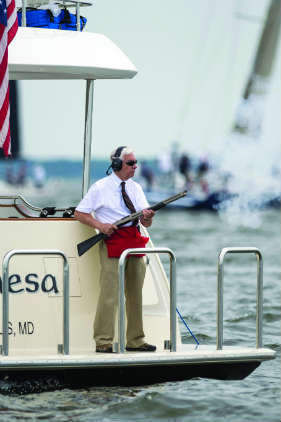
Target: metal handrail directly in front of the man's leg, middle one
column 173, row 293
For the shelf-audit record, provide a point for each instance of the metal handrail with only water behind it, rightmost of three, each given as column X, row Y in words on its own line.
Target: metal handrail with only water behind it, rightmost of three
column 259, row 293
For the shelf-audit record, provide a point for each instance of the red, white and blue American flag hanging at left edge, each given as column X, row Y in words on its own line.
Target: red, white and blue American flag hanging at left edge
column 8, row 29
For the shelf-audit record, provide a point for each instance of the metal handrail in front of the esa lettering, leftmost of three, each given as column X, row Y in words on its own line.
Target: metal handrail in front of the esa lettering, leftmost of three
column 5, row 297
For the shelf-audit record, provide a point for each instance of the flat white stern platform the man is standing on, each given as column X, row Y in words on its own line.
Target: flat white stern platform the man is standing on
column 188, row 355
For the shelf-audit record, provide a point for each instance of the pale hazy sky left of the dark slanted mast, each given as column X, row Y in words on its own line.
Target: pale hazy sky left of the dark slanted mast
column 193, row 60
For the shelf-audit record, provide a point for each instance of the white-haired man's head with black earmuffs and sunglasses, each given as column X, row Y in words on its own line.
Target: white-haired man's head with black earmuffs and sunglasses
column 123, row 162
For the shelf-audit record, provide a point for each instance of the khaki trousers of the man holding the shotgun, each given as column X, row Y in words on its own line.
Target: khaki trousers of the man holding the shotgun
column 104, row 324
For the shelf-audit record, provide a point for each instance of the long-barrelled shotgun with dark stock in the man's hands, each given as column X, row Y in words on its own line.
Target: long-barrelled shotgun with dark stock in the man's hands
column 82, row 247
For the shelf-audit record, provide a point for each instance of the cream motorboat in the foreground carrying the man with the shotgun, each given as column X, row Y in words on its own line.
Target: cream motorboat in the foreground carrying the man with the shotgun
column 49, row 293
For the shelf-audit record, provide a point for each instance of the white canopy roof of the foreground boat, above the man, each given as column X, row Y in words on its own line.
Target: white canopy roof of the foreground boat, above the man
column 37, row 53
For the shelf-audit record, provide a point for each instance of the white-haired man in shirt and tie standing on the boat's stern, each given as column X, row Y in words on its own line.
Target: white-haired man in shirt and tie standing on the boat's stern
column 111, row 199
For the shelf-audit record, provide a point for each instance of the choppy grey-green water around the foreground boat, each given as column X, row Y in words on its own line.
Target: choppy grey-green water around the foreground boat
column 196, row 238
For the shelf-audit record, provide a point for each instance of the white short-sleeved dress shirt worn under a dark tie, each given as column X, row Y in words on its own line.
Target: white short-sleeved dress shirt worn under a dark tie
column 104, row 198
